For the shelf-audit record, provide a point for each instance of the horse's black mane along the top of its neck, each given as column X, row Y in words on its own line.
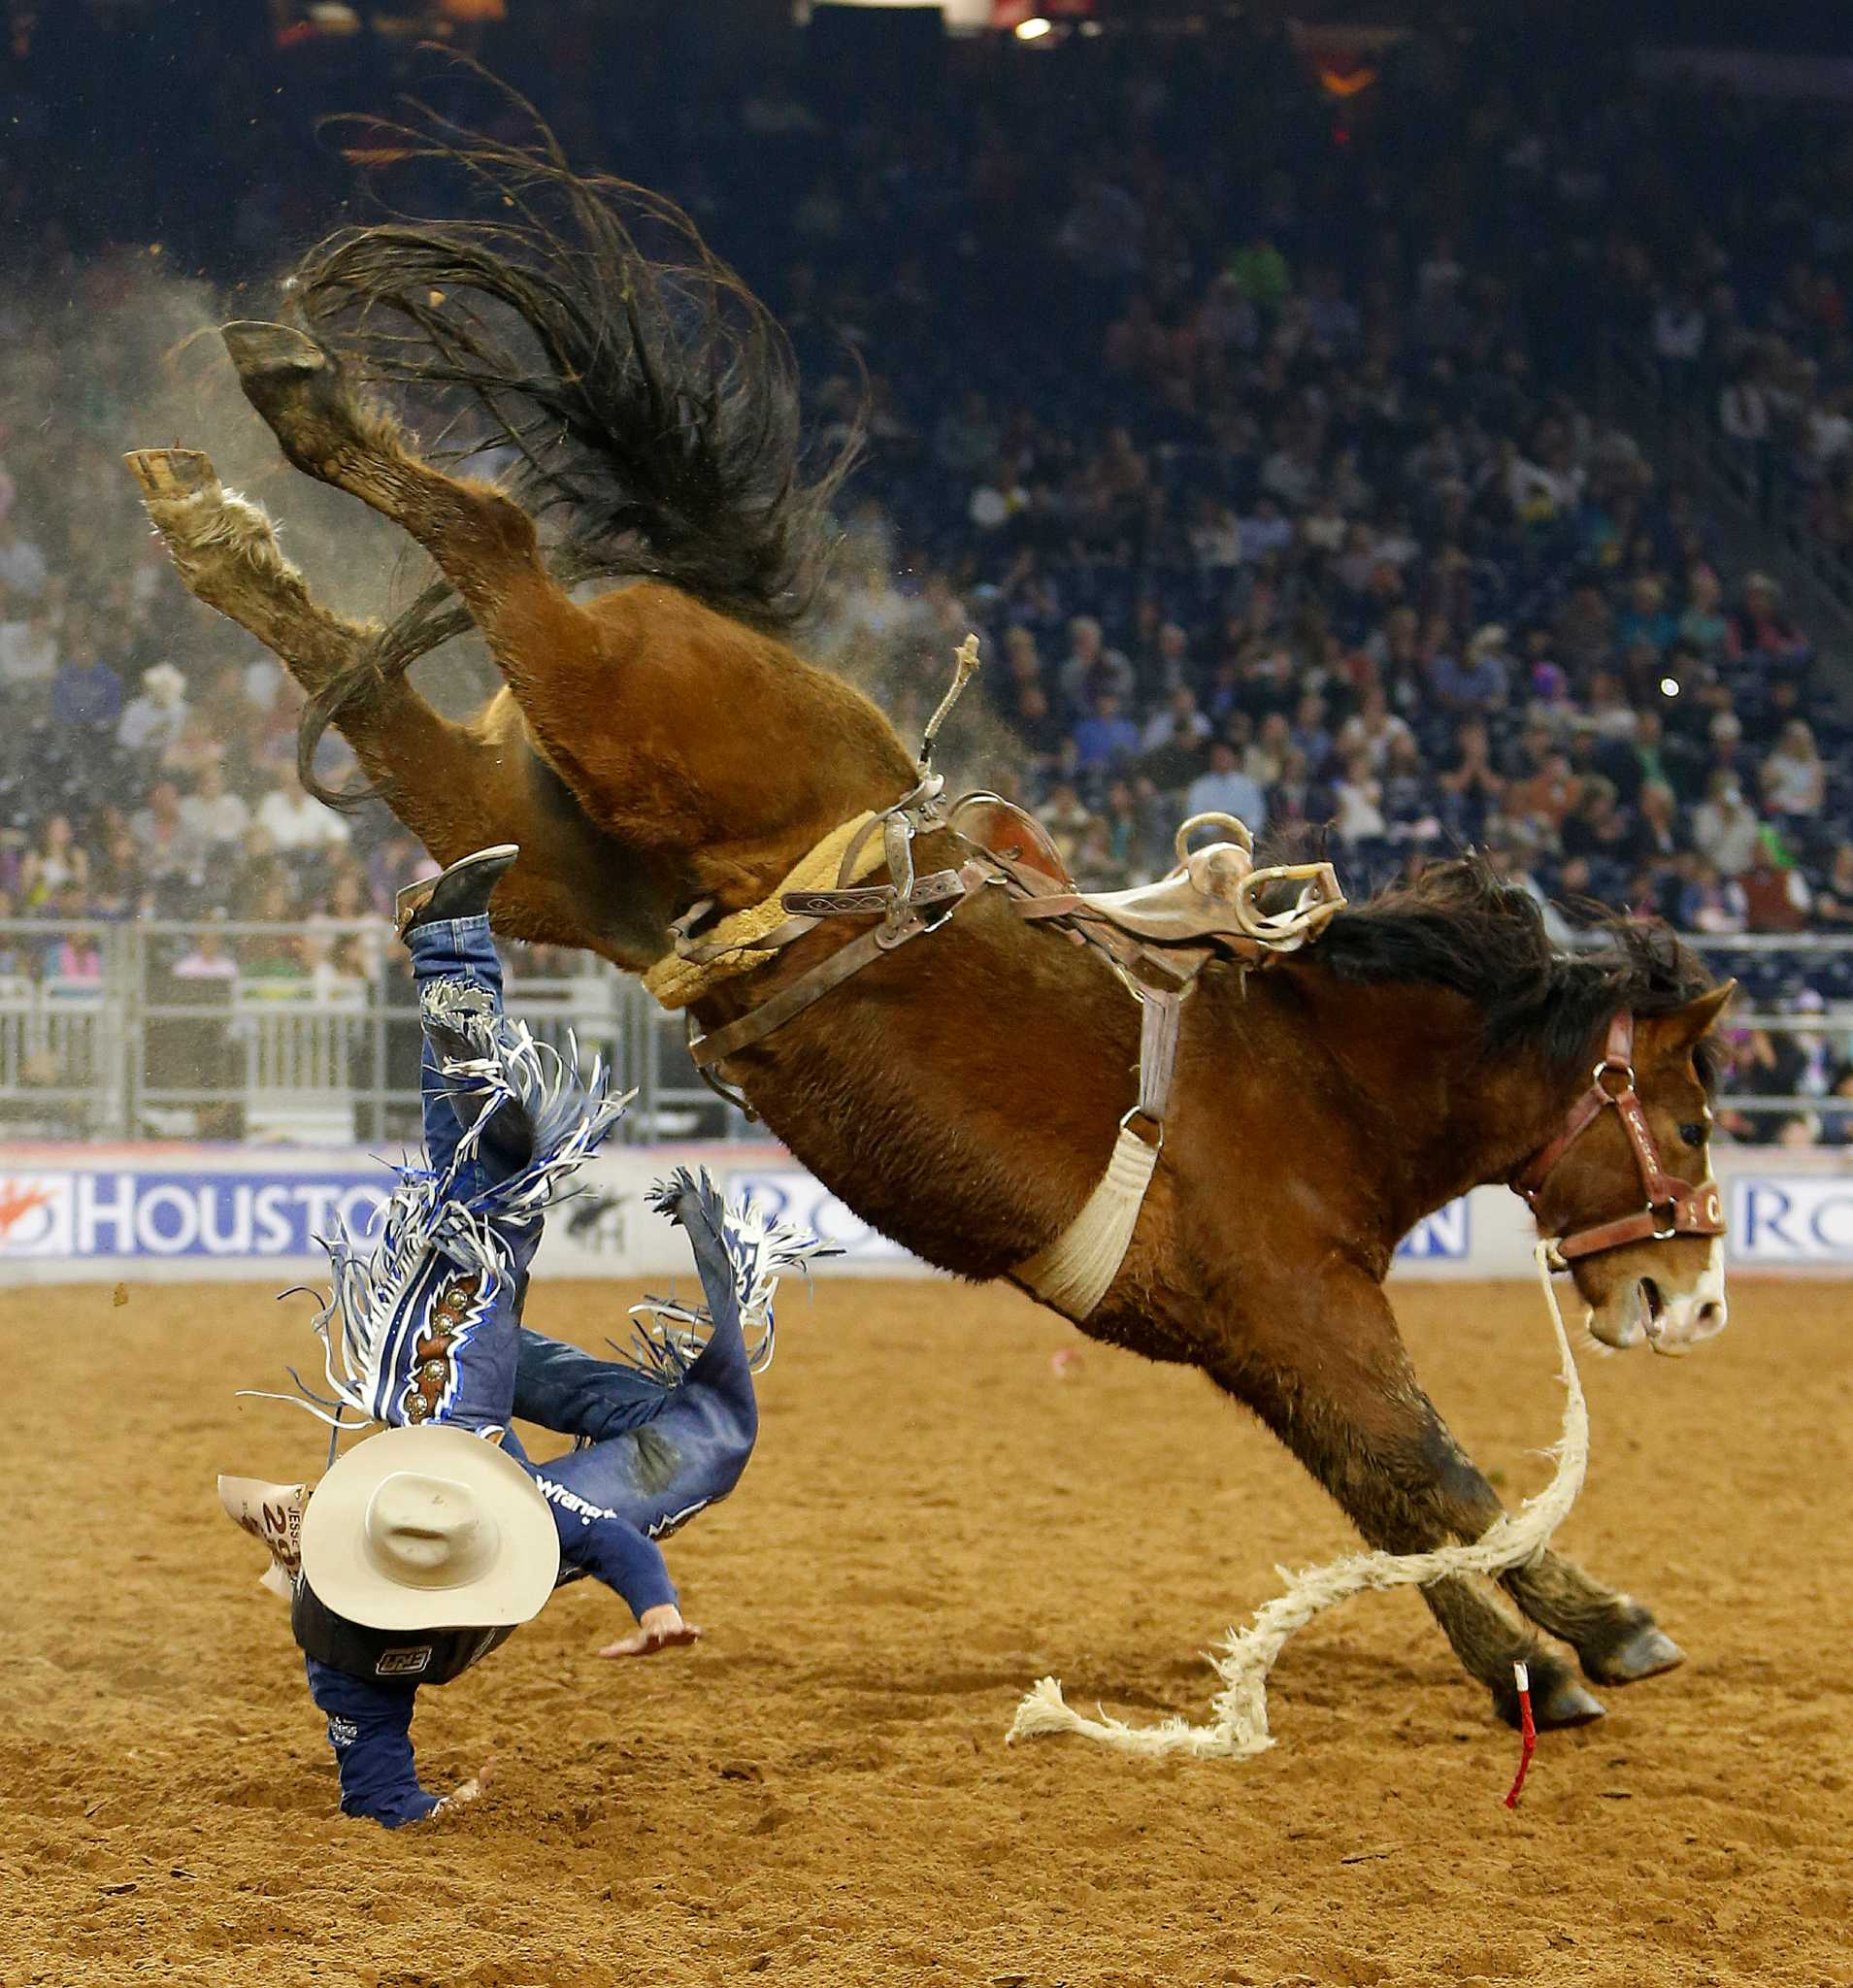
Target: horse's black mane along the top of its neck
column 1462, row 929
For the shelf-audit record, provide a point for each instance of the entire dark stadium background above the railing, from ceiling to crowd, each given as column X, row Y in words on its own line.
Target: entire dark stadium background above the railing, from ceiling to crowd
column 1429, row 420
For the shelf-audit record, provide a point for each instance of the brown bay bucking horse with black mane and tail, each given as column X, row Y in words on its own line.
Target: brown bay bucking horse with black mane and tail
column 663, row 745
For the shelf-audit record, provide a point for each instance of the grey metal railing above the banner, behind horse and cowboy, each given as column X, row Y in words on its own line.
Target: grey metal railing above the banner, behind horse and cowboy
column 311, row 1035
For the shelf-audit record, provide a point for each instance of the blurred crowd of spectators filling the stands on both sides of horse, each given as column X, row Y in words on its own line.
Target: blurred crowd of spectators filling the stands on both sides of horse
column 1262, row 496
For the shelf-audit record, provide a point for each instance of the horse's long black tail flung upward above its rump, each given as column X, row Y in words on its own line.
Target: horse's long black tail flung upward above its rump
column 645, row 397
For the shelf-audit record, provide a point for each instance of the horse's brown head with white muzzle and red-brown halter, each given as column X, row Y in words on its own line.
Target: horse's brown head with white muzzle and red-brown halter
column 1627, row 1186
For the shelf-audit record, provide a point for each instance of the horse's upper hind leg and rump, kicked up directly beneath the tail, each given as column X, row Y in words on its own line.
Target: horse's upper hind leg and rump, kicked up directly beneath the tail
column 631, row 774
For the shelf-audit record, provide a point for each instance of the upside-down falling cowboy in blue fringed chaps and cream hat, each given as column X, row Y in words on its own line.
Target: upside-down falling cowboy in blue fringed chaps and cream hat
column 426, row 1546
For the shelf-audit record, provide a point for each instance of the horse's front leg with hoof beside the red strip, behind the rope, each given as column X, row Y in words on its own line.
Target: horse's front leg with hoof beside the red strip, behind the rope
column 1331, row 1377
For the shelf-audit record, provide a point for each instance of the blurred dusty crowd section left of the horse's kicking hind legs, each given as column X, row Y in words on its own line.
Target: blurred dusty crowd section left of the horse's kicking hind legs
column 148, row 770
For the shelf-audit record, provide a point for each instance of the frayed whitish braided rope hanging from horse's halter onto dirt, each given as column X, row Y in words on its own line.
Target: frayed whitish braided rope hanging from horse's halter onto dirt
column 1240, row 1725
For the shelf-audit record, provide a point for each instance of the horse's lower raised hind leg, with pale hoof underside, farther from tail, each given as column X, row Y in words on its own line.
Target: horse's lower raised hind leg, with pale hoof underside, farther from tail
column 458, row 788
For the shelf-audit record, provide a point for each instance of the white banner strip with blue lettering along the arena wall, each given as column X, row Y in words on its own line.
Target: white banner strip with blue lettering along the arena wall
column 196, row 1212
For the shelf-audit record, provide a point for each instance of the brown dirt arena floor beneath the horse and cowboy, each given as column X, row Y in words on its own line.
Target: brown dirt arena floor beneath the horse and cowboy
column 822, row 1794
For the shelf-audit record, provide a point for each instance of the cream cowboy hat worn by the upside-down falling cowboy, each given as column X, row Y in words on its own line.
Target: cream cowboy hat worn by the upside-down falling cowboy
column 430, row 1530
